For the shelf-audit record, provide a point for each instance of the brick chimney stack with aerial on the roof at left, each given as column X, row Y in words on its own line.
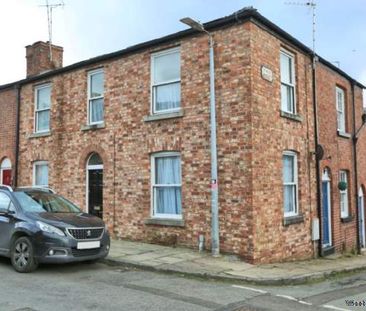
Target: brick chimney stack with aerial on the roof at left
column 39, row 58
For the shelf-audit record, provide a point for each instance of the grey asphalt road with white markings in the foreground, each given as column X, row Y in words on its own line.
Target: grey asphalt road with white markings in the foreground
column 101, row 287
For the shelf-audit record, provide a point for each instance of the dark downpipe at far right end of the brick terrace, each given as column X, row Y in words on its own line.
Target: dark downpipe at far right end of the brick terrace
column 355, row 167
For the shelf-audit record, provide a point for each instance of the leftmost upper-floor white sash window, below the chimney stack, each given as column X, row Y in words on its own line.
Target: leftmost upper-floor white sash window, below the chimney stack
column 42, row 108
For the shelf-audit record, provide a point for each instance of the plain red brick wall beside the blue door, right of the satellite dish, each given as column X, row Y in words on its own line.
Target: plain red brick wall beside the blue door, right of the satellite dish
column 339, row 151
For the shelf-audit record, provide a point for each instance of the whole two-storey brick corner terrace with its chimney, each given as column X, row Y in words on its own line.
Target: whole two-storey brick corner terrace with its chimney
column 126, row 136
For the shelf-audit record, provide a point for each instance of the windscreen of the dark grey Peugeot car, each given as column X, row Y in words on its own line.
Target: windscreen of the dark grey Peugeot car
column 38, row 202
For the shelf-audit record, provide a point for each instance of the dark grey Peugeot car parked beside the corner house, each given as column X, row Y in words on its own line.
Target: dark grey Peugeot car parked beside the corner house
column 40, row 226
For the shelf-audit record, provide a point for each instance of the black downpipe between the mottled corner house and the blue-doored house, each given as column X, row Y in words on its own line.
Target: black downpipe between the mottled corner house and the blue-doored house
column 317, row 160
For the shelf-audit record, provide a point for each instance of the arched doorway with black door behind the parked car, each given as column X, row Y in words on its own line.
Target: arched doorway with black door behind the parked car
column 94, row 182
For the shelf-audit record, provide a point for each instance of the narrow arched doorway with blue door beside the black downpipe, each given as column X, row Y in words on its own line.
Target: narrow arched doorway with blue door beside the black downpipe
column 326, row 210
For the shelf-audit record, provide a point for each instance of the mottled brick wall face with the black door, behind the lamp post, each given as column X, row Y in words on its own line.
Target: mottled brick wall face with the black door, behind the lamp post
column 126, row 142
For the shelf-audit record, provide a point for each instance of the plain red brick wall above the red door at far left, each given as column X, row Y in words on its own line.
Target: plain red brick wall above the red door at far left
column 7, row 125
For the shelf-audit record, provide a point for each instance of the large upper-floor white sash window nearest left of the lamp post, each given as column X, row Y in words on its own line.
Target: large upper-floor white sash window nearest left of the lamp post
column 165, row 81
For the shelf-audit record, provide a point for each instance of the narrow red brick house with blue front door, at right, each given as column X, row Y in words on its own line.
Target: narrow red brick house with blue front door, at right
column 340, row 111
